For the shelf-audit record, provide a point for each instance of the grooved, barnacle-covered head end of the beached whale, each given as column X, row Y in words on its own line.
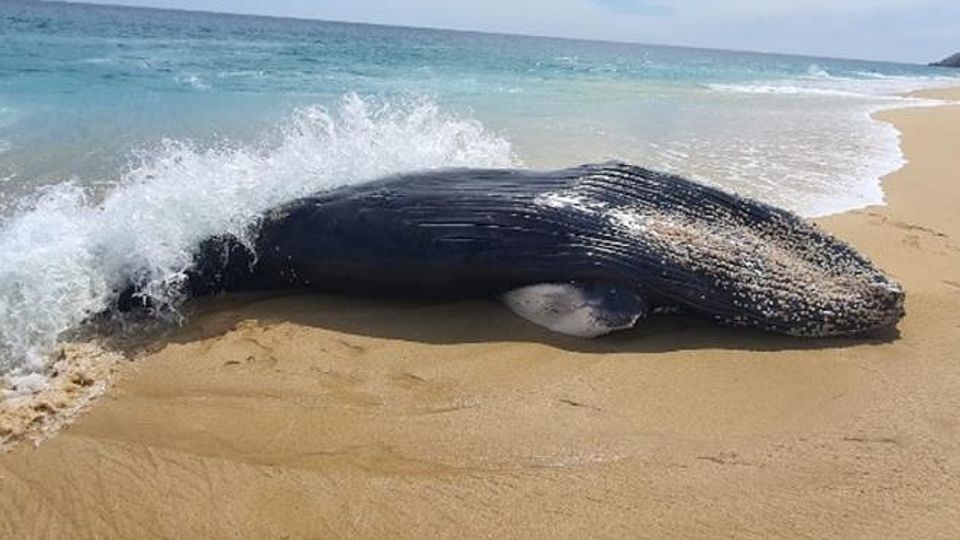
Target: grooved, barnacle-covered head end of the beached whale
column 736, row 260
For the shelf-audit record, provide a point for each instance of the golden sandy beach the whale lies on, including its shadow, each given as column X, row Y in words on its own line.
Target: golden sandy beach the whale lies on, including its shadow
column 320, row 416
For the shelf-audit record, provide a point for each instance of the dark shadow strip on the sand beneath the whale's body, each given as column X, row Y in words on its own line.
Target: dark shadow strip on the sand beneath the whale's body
column 479, row 321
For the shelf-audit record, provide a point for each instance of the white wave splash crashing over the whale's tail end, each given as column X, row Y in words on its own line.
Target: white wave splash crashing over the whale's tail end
column 66, row 257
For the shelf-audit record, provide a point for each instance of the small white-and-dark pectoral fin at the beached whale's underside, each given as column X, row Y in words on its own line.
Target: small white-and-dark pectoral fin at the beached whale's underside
column 578, row 309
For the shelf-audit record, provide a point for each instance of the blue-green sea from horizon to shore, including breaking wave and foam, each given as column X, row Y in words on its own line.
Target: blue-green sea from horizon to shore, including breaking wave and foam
column 129, row 135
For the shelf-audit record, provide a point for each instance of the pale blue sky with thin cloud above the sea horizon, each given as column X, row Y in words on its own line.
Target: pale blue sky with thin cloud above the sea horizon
column 896, row 30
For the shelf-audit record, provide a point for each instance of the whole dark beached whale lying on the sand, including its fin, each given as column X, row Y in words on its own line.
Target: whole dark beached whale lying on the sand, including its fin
column 583, row 251
